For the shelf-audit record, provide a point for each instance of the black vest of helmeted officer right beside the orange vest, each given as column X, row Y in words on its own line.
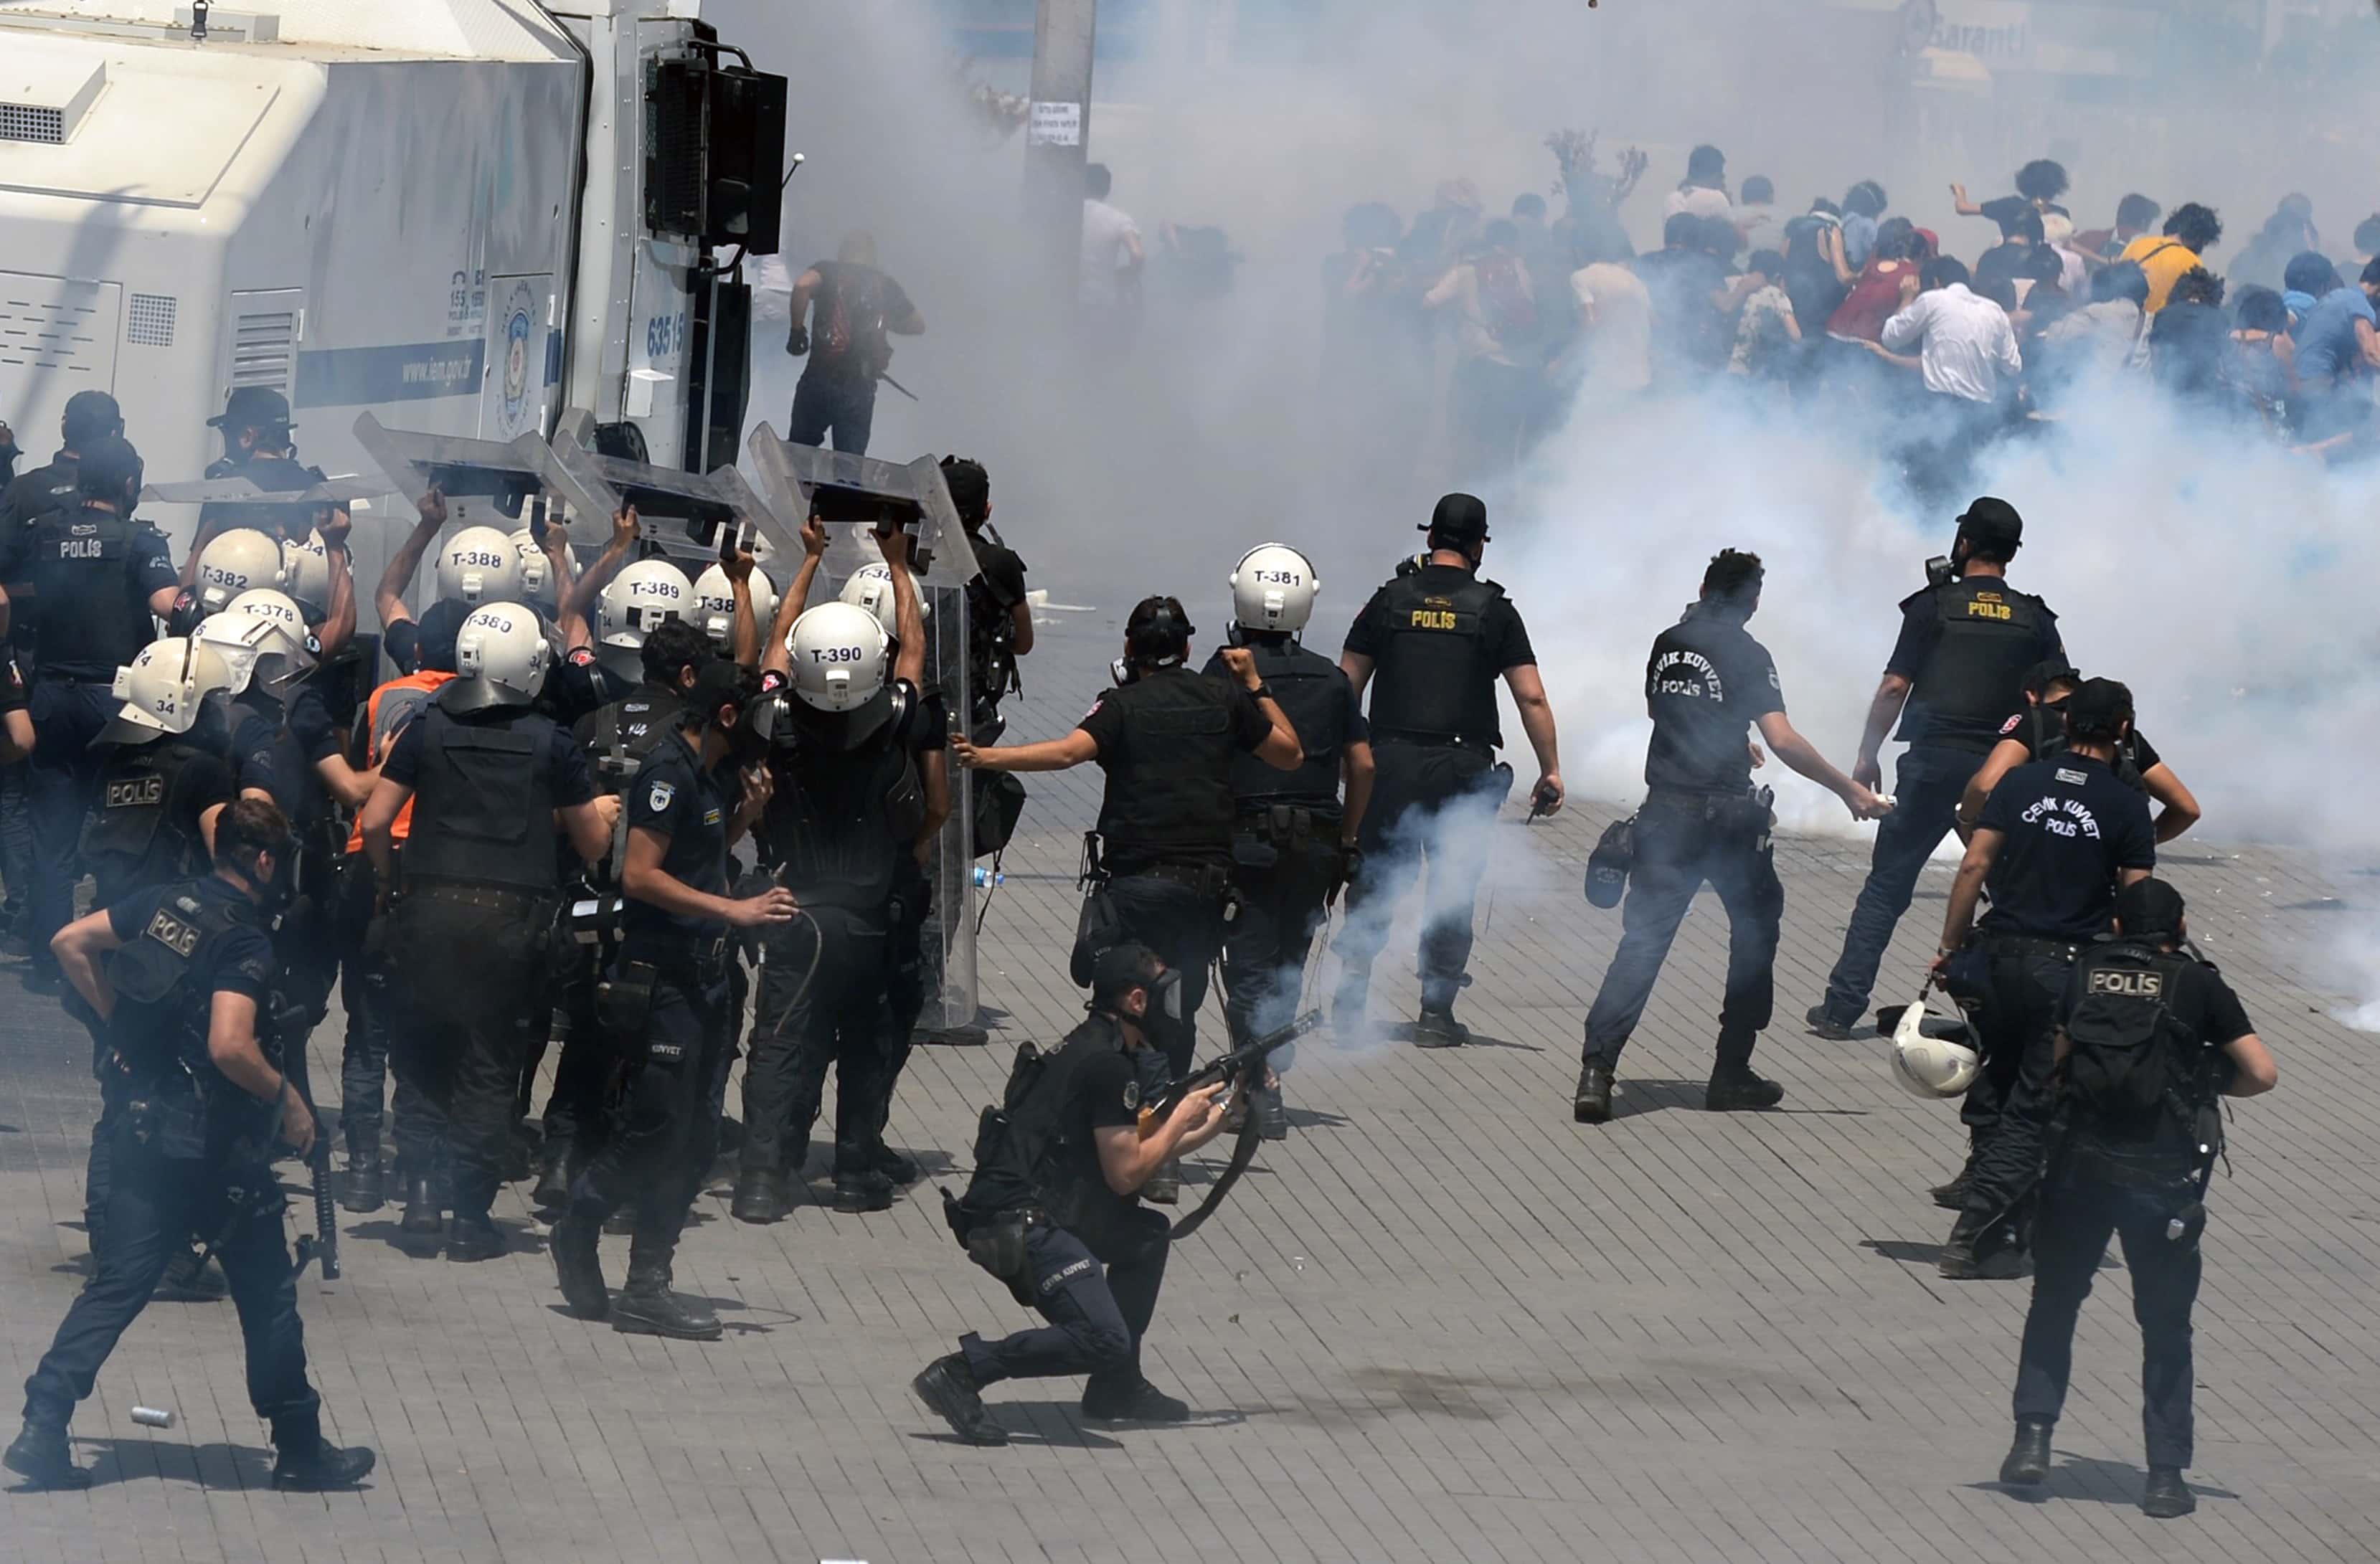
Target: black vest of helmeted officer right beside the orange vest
column 484, row 803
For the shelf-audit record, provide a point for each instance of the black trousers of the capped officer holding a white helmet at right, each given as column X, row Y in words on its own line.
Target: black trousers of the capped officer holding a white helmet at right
column 2008, row 1108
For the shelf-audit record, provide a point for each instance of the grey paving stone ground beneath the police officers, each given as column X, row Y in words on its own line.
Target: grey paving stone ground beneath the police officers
column 1439, row 1325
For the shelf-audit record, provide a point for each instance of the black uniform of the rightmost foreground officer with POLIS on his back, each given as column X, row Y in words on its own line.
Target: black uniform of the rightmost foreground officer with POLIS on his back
column 2138, row 1177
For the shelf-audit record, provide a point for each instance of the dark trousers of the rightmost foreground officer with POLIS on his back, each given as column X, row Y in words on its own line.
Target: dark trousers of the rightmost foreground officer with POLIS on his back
column 2069, row 1239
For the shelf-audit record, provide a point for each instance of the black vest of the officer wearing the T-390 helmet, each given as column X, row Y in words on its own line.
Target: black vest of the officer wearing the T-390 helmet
column 841, row 822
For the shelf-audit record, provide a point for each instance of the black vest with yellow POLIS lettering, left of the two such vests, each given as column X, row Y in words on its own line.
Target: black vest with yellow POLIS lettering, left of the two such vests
column 1434, row 682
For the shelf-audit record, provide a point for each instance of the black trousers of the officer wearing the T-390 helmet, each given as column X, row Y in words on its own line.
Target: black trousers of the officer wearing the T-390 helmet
column 841, row 1022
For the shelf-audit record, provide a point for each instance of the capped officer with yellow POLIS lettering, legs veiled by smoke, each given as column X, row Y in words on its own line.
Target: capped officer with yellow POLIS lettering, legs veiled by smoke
column 1436, row 637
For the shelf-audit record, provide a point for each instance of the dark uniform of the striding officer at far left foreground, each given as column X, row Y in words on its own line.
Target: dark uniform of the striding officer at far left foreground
column 192, row 1156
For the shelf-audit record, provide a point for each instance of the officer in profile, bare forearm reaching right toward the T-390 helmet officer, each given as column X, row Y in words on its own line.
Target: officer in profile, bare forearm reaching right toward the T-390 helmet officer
column 668, row 1003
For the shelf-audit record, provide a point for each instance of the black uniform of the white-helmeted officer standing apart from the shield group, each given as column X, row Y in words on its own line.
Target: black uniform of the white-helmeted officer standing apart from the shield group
column 1286, row 844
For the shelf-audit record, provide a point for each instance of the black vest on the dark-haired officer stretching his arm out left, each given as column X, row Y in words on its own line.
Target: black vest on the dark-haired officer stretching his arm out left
column 1170, row 775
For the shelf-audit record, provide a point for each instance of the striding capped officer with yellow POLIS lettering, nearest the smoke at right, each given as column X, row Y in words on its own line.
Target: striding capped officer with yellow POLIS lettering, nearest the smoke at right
column 1953, row 680
